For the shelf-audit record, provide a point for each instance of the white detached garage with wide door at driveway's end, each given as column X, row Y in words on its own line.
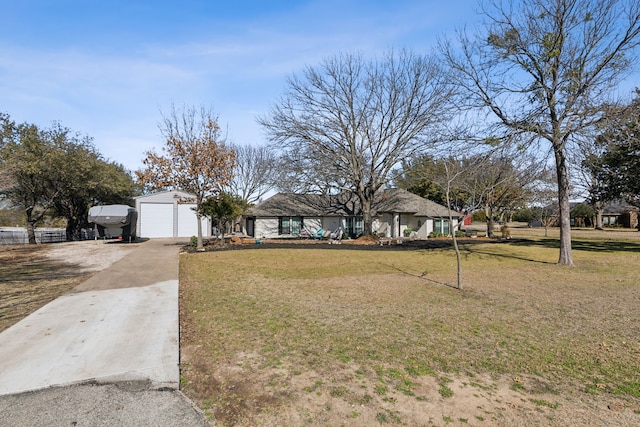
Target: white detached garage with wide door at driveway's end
column 163, row 214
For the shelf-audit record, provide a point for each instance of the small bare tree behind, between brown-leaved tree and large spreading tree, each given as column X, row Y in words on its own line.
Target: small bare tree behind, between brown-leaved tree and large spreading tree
column 255, row 173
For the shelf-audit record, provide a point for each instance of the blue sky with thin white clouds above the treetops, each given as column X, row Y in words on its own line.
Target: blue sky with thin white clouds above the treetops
column 108, row 68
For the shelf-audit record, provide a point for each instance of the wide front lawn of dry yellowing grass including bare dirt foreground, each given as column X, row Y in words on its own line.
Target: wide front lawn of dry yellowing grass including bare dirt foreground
column 364, row 337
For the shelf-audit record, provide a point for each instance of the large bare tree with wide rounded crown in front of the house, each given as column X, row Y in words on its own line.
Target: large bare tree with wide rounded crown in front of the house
column 353, row 120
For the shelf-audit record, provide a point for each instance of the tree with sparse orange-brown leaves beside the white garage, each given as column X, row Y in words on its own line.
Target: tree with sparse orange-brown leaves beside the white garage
column 195, row 158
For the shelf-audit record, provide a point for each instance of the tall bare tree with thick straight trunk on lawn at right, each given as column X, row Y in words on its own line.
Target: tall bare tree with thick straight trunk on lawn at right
column 542, row 68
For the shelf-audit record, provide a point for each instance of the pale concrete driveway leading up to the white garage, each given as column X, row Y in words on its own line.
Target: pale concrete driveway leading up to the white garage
column 115, row 338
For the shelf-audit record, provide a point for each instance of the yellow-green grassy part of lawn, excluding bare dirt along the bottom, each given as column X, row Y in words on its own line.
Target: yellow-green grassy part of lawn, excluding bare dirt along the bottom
column 395, row 316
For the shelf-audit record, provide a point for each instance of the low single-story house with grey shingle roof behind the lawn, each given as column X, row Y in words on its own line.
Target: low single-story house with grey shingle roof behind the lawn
column 394, row 211
